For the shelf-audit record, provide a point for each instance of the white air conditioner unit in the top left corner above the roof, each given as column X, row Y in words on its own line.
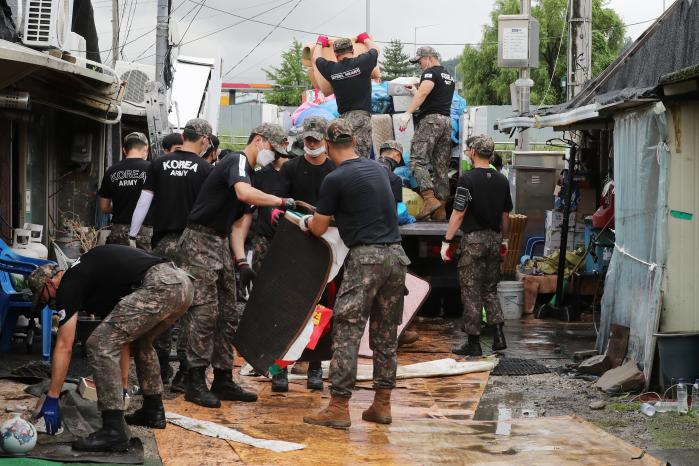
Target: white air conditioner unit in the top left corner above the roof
column 47, row 23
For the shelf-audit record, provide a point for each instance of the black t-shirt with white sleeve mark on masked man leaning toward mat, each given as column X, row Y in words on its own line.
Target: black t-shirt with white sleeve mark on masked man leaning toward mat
column 217, row 206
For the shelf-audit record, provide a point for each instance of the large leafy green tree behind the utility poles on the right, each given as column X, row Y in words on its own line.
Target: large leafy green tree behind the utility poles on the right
column 486, row 84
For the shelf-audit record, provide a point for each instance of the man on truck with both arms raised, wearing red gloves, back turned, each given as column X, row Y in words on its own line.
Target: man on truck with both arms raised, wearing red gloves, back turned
column 350, row 78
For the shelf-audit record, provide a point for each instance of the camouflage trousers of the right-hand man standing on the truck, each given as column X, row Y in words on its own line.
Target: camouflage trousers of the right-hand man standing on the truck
column 431, row 149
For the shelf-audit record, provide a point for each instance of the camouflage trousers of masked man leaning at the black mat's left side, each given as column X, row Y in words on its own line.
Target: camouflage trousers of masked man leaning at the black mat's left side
column 213, row 317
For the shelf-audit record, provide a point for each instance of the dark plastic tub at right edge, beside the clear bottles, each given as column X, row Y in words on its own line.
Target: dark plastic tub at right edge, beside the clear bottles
column 678, row 356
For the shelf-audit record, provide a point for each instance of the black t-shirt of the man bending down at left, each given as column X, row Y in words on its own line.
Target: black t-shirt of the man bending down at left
column 101, row 277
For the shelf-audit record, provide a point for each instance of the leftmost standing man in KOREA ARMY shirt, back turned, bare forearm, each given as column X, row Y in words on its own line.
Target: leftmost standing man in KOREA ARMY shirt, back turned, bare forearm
column 121, row 188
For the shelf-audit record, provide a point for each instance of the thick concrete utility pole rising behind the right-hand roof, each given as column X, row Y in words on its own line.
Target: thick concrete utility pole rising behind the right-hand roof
column 579, row 47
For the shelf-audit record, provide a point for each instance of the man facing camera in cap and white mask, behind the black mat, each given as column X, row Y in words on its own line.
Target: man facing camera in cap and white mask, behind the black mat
column 303, row 177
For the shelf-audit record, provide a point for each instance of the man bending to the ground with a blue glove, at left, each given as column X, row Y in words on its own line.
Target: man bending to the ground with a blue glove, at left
column 137, row 295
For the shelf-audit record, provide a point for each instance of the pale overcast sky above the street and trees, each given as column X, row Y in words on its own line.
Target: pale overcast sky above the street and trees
column 450, row 23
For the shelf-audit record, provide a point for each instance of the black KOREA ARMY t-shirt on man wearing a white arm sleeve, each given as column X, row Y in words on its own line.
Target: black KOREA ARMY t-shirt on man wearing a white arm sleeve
column 175, row 180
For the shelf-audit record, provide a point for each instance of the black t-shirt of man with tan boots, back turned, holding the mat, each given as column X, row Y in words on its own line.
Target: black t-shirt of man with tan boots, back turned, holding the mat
column 358, row 193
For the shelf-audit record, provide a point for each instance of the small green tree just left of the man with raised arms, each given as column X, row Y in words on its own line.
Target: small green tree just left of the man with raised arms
column 290, row 78
